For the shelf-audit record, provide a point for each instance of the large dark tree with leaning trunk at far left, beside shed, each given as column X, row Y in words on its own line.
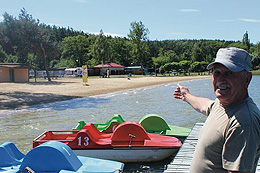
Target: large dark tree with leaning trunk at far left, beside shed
column 25, row 36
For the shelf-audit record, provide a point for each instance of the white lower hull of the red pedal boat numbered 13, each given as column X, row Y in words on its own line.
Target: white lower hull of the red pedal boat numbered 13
column 129, row 155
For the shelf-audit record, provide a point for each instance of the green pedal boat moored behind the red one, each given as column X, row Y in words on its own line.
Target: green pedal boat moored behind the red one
column 152, row 123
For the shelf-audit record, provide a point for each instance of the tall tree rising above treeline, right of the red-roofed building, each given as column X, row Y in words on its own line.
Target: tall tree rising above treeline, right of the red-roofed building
column 139, row 35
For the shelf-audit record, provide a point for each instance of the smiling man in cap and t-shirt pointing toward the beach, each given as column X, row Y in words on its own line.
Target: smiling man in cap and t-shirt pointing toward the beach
column 230, row 138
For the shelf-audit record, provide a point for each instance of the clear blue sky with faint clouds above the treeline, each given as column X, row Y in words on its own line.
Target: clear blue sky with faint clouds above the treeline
column 225, row 20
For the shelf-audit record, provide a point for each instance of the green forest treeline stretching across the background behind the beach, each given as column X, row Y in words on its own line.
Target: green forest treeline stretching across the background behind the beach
column 26, row 40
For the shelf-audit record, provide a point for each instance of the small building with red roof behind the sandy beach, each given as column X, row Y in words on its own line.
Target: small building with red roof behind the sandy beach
column 114, row 69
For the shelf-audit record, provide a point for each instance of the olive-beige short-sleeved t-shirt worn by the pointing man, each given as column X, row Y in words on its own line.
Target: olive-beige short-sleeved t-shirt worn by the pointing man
column 229, row 140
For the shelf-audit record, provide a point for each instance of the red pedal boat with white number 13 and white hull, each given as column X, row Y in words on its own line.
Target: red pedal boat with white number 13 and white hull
column 128, row 143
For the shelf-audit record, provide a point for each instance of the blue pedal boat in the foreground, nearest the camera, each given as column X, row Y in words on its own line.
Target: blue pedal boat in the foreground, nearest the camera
column 52, row 157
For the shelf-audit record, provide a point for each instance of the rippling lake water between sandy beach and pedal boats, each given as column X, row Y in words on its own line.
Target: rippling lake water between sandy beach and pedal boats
column 22, row 126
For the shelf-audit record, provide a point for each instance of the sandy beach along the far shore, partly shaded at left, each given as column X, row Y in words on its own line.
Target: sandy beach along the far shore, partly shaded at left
column 22, row 95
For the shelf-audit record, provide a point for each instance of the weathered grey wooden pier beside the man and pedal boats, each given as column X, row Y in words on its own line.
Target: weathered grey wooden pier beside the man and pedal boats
column 182, row 161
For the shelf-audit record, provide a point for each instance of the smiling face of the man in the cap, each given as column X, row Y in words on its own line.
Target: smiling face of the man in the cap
column 229, row 87
